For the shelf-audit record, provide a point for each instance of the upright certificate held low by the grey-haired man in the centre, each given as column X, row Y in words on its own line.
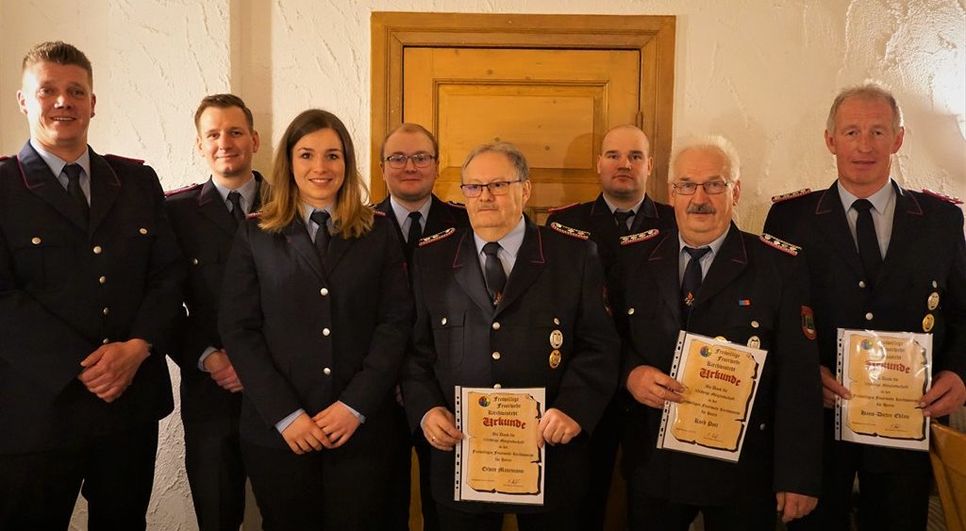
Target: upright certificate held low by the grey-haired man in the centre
column 499, row 459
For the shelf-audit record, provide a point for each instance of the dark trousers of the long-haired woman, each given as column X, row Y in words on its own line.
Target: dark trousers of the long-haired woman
column 345, row 488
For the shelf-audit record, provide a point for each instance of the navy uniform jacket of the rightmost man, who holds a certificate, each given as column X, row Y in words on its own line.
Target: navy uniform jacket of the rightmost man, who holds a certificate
column 926, row 255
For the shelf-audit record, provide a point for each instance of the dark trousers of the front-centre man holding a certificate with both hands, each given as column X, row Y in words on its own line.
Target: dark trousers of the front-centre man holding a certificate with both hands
column 559, row 519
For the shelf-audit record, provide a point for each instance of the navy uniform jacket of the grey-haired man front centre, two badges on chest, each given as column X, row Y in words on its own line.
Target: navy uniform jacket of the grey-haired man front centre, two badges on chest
column 555, row 284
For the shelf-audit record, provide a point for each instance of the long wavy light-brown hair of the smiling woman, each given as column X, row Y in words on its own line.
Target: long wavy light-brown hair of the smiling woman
column 350, row 217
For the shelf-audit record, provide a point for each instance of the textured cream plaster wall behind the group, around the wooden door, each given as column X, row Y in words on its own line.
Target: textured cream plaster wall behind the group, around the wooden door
column 762, row 73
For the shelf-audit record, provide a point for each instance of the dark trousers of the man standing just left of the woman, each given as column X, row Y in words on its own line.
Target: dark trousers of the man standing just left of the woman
column 216, row 472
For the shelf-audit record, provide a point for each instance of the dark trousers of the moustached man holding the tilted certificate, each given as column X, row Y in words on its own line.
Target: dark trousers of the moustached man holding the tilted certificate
column 653, row 514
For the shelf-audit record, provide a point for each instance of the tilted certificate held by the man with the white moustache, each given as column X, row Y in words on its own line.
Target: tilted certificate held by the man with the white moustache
column 720, row 381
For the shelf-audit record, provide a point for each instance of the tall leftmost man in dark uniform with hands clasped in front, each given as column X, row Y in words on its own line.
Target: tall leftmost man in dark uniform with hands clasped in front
column 90, row 278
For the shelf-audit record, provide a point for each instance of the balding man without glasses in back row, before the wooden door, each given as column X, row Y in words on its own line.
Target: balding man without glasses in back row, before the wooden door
column 622, row 208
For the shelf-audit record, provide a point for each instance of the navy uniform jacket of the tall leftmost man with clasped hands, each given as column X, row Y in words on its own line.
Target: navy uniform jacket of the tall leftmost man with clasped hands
column 65, row 288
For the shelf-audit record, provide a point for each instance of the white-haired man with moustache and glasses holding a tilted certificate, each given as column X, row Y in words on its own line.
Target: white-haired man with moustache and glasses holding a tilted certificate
column 710, row 278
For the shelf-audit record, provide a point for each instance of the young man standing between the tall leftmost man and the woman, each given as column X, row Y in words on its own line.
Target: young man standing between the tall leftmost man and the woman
column 205, row 219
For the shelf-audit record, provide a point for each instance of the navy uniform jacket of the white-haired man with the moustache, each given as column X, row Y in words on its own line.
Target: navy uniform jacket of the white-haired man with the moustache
column 751, row 289
